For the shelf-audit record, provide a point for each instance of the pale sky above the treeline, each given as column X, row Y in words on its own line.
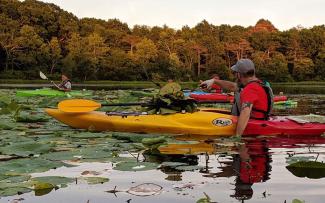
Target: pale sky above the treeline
column 284, row 14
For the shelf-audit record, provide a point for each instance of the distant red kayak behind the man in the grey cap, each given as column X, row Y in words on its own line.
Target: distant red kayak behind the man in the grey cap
column 225, row 98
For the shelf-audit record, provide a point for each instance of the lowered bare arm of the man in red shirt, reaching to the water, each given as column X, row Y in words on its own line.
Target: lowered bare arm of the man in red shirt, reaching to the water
column 245, row 113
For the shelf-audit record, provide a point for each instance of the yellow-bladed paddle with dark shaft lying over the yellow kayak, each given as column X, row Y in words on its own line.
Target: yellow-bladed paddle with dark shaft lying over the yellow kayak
column 83, row 105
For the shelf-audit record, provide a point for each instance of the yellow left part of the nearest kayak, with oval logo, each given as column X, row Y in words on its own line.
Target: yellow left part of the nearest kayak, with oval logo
column 198, row 123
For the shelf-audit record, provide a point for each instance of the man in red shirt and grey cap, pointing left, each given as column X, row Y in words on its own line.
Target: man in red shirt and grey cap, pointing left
column 253, row 98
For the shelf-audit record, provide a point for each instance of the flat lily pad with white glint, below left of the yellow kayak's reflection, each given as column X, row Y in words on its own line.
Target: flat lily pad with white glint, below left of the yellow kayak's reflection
column 135, row 166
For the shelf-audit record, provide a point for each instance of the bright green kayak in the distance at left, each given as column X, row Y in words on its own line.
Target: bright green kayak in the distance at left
column 47, row 92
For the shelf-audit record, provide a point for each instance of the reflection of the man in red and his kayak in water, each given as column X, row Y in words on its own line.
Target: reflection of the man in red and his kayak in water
column 250, row 161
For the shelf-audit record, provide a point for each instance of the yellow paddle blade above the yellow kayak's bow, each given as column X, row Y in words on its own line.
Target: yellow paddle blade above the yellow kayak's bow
column 78, row 105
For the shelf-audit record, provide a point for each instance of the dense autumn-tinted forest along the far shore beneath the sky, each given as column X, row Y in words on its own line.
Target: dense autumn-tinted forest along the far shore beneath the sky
column 40, row 36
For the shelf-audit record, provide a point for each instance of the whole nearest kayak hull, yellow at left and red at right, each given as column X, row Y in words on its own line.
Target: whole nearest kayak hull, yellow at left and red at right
column 205, row 122
